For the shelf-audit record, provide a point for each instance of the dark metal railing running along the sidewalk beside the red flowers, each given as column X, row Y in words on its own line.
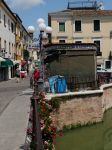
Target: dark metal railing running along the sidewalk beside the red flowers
column 34, row 136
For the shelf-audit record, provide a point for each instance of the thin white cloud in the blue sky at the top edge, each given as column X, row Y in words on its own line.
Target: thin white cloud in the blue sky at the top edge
column 24, row 4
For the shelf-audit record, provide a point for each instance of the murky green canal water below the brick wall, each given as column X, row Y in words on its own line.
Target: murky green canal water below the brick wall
column 94, row 137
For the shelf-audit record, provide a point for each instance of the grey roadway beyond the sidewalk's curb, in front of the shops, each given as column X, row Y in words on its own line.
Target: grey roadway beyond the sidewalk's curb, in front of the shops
column 9, row 90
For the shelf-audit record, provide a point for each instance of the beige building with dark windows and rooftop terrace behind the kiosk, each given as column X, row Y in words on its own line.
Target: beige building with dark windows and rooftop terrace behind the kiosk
column 84, row 25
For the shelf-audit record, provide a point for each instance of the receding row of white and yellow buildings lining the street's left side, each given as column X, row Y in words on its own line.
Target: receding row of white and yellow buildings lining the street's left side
column 14, row 39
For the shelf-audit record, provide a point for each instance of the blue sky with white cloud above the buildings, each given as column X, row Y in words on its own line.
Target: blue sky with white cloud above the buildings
column 30, row 10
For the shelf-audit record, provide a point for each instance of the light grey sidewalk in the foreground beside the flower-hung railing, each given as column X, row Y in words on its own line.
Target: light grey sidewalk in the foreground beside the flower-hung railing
column 13, row 123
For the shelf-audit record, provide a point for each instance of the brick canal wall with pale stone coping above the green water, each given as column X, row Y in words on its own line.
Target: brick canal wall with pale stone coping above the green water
column 83, row 107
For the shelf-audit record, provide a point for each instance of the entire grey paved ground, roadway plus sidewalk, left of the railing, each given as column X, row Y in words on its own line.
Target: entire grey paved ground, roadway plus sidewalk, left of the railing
column 14, row 108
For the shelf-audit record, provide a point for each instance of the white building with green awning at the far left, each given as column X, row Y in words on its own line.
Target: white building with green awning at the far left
column 7, row 40
